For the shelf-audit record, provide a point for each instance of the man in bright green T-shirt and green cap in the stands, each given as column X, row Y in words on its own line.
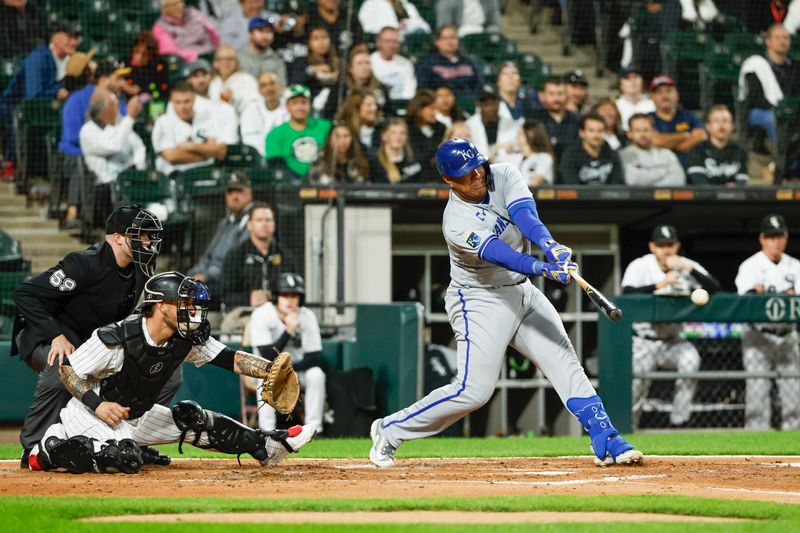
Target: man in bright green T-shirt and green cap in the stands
column 298, row 141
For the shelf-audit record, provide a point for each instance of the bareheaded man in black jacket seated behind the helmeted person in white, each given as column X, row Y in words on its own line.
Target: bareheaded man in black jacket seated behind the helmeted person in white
column 250, row 269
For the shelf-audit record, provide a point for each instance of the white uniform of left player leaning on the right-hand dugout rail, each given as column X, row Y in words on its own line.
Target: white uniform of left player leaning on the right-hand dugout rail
column 658, row 344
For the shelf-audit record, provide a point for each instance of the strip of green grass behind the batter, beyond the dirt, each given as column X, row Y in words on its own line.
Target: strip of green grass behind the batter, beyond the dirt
column 688, row 443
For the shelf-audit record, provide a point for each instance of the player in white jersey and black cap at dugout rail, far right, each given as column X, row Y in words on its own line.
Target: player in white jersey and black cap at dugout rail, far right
column 771, row 346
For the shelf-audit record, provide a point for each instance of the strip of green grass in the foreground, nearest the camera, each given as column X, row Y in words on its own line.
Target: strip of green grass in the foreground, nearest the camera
column 60, row 513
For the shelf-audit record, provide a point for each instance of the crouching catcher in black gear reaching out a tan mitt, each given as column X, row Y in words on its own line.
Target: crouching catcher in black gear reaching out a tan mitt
column 116, row 375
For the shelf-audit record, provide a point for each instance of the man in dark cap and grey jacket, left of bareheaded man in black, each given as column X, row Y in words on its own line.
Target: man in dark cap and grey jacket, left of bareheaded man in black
column 231, row 231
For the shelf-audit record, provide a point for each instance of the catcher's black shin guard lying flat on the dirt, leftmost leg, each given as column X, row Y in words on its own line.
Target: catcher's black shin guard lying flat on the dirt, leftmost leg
column 79, row 455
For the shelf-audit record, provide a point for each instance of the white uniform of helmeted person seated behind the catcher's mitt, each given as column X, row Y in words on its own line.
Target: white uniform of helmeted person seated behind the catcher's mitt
column 266, row 328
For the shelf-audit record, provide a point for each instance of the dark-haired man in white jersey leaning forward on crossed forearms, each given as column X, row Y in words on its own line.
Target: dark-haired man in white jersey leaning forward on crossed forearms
column 187, row 137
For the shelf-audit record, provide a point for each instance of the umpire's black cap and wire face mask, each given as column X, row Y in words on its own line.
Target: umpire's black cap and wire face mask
column 144, row 229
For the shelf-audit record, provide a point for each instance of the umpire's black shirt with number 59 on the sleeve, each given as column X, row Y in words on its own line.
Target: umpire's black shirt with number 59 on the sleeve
column 84, row 291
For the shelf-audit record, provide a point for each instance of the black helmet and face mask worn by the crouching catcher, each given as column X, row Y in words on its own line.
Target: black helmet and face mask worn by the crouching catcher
column 189, row 295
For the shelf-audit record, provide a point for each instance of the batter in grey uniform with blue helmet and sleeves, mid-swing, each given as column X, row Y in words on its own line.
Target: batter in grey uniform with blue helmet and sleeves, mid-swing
column 489, row 222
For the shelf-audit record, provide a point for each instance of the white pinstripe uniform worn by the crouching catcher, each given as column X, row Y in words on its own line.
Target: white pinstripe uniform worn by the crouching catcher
column 94, row 361
